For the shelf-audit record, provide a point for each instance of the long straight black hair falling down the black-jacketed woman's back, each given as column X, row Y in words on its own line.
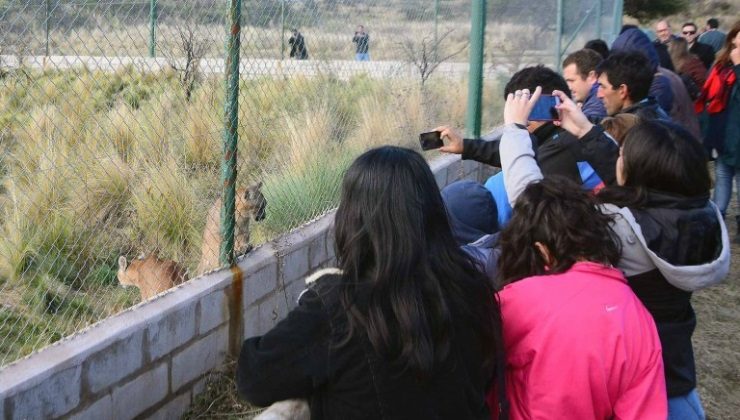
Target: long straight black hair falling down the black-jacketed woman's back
column 393, row 238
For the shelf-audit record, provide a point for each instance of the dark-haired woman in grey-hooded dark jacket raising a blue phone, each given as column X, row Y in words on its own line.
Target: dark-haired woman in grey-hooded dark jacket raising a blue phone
column 672, row 237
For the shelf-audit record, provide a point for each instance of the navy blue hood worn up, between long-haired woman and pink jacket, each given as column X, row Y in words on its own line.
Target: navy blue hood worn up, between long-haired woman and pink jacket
column 471, row 211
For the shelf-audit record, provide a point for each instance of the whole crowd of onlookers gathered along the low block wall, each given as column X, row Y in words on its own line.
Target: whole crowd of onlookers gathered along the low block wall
column 560, row 288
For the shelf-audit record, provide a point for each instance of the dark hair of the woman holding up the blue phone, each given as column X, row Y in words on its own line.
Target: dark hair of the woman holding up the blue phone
column 659, row 156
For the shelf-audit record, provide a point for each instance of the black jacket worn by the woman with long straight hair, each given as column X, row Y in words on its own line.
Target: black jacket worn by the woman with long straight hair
column 300, row 358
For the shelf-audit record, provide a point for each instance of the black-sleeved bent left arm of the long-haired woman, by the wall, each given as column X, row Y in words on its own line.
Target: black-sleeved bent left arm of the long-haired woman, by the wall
column 290, row 359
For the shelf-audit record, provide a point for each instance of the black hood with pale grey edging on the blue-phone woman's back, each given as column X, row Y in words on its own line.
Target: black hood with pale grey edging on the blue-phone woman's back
column 686, row 241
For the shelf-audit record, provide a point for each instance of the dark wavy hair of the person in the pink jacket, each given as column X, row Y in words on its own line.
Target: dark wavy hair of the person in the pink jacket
column 559, row 214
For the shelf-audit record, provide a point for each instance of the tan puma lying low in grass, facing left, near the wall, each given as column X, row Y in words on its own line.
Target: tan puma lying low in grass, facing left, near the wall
column 151, row 275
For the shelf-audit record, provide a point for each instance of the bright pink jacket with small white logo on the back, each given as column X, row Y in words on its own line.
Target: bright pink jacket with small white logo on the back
column 580, row 345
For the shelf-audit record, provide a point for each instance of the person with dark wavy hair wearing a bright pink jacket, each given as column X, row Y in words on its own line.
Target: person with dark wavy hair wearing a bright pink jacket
column 579, row 344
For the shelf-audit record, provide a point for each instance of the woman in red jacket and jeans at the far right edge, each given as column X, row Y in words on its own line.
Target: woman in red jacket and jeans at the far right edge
column 720, row 98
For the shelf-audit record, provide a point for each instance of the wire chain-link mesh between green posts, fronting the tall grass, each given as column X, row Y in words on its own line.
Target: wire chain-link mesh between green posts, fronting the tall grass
column 112, row 118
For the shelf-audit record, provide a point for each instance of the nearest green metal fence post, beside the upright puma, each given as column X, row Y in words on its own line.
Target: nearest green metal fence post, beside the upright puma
column 230, row 137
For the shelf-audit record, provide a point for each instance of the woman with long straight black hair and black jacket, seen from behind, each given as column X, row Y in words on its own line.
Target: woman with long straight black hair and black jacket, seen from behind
column 406, row 327
